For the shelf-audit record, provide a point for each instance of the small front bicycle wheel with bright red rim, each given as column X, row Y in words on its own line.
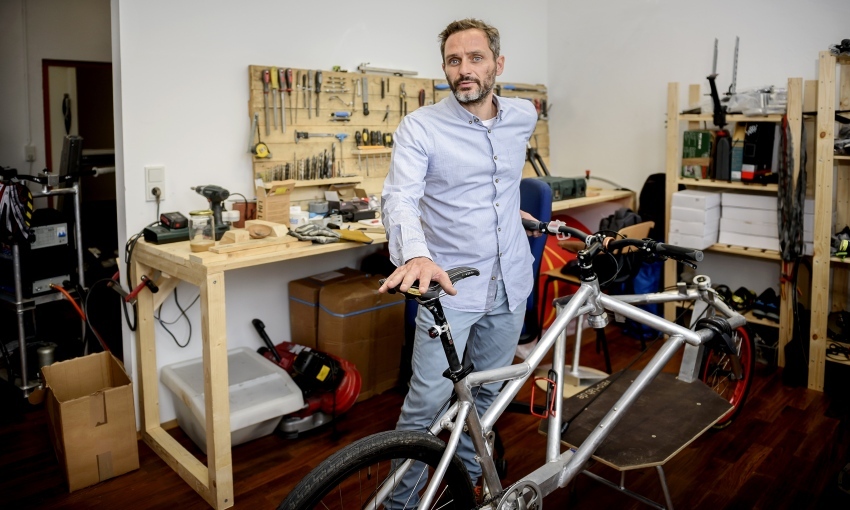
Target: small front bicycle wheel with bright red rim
column 719, row 374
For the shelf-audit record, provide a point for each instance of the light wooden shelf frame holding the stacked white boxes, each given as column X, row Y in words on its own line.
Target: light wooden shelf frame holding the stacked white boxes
column 673, row 167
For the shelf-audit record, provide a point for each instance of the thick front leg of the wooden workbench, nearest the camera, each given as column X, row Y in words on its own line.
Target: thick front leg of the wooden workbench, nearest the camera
column 216, row 390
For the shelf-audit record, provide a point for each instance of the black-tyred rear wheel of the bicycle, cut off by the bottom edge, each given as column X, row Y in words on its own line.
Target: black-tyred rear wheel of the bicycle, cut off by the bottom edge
column 333, row 477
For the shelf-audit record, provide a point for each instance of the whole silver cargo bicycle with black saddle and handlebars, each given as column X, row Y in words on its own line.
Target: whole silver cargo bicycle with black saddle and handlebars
column 367, row 471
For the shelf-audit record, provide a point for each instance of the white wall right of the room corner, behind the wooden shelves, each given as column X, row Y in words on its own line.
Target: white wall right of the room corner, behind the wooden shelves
column 609, row 64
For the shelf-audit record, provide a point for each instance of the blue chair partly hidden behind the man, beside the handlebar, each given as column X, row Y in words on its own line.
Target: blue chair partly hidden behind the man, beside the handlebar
column 536, row 200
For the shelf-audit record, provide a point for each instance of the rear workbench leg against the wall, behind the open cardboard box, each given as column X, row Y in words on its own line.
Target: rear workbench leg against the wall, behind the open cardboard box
column 146, row 355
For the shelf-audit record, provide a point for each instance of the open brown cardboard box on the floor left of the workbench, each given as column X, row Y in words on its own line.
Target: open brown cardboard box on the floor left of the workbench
column 92, row 418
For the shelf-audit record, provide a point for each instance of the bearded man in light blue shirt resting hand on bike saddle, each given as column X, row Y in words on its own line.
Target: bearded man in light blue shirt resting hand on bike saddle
column 451, row 198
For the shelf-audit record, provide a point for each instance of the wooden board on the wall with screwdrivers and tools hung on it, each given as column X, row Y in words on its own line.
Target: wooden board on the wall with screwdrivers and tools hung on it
column 341, row 113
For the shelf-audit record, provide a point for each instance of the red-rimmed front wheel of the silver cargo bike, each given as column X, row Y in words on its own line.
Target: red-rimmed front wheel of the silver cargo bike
column 716, row 372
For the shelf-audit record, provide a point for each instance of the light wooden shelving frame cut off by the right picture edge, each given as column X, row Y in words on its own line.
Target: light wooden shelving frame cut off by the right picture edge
column 830, row 170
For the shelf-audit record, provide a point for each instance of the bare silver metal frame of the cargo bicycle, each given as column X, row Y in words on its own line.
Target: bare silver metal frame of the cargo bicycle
column 560, row 468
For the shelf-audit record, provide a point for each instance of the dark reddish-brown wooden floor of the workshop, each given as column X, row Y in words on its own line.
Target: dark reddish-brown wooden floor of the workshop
column 784, row 451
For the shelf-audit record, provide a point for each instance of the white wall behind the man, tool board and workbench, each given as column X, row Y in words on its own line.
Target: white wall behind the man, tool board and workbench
column 183, row 104
